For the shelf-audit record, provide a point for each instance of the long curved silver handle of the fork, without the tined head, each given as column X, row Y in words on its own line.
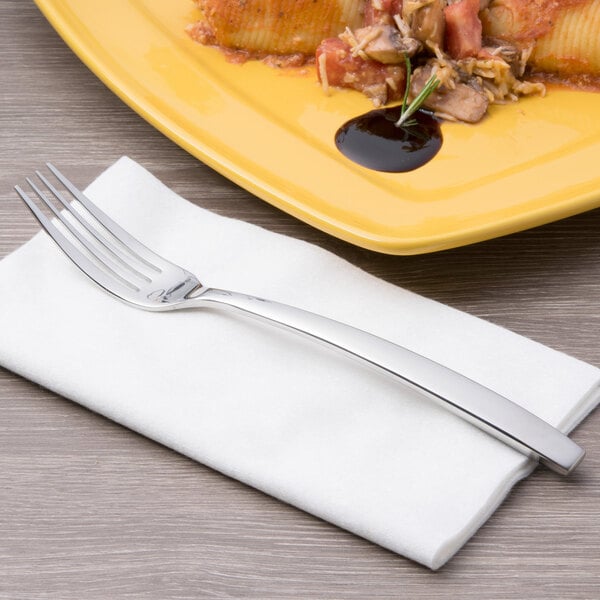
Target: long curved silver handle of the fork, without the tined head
column 470, row 400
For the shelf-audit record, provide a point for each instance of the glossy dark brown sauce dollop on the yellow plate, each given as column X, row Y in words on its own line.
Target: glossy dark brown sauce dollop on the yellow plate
column 374, row 141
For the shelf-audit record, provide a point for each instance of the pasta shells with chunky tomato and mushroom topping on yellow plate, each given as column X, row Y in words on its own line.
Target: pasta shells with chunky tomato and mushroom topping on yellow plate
column 481, row 52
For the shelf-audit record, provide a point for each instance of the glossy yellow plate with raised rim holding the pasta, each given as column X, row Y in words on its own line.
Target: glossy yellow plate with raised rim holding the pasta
column 272, row 133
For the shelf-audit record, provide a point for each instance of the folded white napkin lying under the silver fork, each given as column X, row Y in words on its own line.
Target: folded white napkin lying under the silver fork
column 290, row 417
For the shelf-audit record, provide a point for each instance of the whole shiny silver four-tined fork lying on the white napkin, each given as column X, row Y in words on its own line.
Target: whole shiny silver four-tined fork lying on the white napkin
column 131, row 272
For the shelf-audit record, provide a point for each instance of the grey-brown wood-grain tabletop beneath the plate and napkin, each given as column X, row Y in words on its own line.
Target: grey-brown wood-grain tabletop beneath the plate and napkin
column 91, row 510
